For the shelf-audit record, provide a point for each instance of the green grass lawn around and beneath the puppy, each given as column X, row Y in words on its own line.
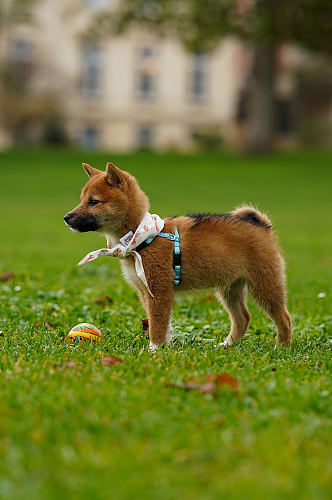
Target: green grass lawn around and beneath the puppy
column 121, row 432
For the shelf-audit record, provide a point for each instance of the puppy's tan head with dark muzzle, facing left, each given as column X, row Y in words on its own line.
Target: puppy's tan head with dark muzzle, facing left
column 107, row 200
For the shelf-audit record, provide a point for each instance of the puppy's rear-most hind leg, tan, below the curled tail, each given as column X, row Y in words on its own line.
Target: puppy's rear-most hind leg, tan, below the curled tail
column 270, row 294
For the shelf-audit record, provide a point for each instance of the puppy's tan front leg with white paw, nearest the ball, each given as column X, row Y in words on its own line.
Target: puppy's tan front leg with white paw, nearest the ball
column 159, row 310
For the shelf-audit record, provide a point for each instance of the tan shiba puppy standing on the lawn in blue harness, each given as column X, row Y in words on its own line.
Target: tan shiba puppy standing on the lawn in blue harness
column 232, row 253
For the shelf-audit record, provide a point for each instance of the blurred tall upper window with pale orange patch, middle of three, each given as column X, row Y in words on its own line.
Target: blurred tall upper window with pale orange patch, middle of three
column 147, row 74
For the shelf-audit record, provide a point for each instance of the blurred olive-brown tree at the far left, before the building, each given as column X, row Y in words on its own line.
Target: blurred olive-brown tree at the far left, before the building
column 29, row 116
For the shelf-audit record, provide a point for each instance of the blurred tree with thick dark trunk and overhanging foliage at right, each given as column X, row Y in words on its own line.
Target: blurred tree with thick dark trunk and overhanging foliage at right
column 262, row 24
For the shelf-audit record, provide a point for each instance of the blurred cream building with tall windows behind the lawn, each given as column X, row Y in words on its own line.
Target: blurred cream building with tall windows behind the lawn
column 62, row 78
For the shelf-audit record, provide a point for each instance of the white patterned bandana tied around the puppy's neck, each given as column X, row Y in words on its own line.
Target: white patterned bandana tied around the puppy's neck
column 150, row 226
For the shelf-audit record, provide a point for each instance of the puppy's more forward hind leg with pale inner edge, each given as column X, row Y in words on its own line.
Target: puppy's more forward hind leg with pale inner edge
column 234, row 301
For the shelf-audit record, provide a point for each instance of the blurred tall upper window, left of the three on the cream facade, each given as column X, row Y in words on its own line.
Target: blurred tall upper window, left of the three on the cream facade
column 91, row 71
